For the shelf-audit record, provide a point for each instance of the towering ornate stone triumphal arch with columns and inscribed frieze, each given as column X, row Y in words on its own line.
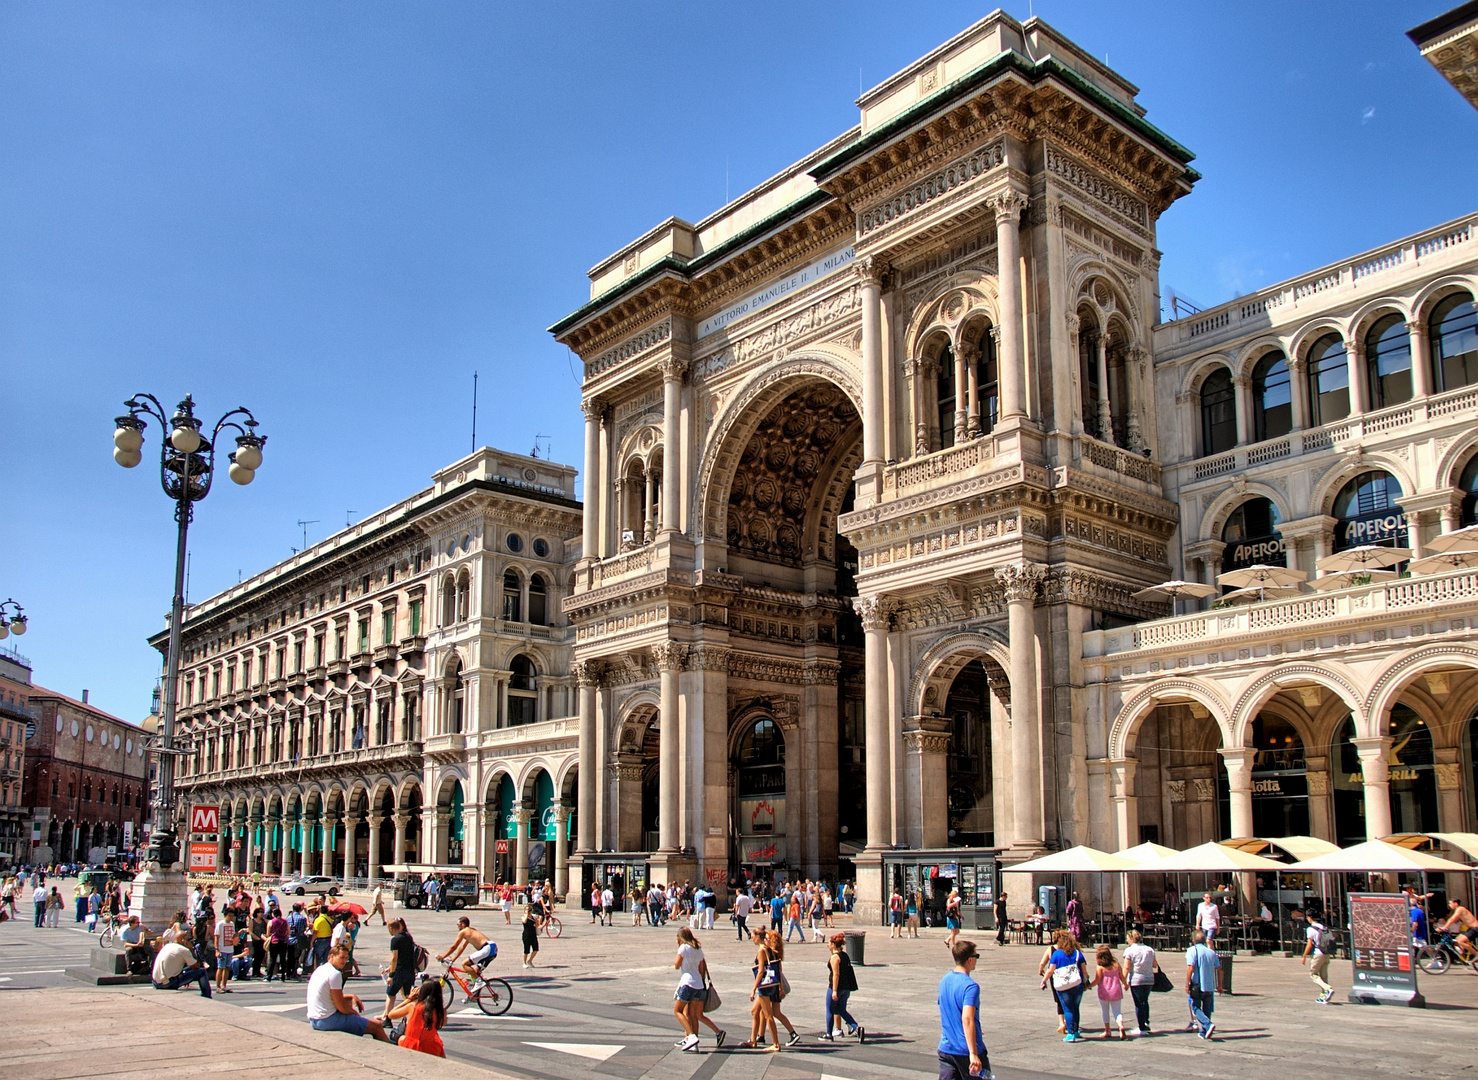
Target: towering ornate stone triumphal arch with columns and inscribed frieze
column 867, row 453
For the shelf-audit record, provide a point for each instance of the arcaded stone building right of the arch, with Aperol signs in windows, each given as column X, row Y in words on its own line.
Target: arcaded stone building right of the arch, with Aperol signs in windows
column 1325, row 413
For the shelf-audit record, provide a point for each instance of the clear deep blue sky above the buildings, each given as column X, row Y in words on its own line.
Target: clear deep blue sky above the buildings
column 335, row 213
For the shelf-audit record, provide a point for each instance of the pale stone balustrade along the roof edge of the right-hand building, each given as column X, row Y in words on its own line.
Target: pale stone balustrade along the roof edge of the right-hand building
column 1233, row 318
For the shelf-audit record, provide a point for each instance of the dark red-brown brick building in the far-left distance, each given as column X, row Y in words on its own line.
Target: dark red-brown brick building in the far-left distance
column 86, row 781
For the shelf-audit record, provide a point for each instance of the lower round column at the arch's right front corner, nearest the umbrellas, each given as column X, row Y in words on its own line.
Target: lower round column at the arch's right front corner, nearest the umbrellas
column 1022, row 581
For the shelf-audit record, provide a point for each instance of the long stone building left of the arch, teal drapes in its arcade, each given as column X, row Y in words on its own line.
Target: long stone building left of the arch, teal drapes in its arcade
column 398, row 692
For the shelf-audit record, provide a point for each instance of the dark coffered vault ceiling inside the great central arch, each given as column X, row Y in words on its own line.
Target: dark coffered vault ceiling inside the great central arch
column 791, row 478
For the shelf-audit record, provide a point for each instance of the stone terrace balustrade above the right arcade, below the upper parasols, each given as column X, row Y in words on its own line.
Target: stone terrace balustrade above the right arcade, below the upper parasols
column 1303, row 614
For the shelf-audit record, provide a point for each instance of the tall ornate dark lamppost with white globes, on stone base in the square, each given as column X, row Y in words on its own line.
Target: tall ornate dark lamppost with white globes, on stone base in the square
column 187, row 469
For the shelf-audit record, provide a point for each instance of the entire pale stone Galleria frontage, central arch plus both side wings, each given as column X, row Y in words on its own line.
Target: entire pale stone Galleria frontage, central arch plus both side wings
column 877, row 459
